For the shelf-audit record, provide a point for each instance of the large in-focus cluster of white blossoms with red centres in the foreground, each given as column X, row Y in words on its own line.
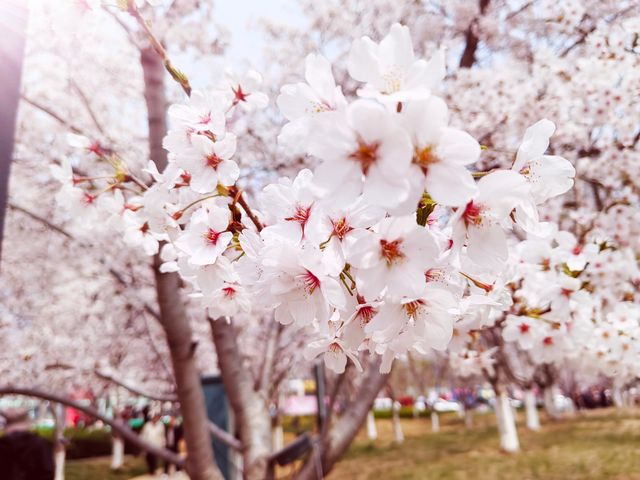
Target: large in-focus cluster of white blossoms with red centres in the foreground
column 389, row 242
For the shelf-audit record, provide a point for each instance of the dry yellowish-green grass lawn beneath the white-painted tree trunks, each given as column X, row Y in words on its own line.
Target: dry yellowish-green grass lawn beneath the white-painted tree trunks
column 602, row 444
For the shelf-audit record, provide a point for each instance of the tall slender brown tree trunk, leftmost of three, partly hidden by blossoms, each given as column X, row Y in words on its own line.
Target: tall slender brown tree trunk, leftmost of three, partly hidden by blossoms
column 173, row 316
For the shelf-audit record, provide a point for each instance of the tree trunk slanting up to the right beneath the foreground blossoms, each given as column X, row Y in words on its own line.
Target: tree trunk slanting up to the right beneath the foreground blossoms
column 344, row 430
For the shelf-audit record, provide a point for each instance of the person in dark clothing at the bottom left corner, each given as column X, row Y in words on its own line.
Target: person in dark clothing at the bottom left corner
column 23, row 454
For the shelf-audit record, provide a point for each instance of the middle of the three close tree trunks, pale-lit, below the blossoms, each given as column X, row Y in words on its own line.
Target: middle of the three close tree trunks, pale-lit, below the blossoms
column 249, row 405
